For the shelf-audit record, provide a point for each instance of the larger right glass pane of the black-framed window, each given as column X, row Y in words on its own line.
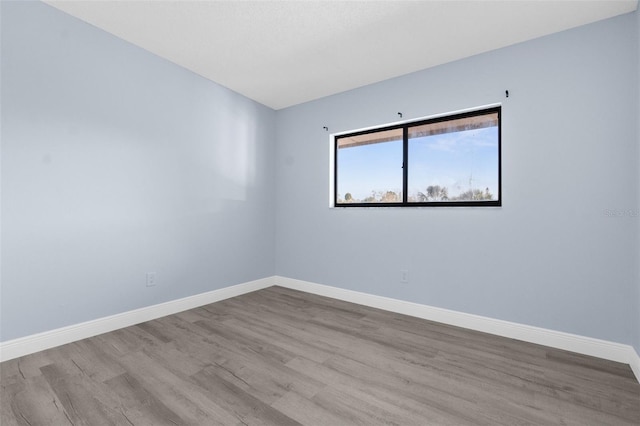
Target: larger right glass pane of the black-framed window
column 455, row 160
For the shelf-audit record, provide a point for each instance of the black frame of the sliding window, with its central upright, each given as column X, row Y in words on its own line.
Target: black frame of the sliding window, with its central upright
column 405, row 169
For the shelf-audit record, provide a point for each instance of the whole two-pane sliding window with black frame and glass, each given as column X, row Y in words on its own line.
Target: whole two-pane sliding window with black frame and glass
column 445, row 161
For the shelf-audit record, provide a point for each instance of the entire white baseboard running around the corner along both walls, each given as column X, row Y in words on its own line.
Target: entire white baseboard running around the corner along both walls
column 555, row 339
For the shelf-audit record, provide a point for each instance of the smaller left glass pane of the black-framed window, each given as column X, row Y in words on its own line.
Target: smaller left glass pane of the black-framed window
column 369, row 168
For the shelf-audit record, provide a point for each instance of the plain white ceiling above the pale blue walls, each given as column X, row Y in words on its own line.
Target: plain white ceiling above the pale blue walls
column 283, row 53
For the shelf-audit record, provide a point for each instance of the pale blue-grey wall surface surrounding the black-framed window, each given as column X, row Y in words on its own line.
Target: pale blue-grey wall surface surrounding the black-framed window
column 556, row 255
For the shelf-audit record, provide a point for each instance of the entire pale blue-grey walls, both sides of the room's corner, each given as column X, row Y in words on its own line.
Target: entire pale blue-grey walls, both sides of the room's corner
column 116, row 162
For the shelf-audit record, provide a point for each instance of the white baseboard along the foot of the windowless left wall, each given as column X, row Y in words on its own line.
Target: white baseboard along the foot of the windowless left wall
column 49, row 339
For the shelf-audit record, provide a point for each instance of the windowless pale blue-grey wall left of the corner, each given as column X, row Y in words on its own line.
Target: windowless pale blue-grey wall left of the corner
column 114, row 163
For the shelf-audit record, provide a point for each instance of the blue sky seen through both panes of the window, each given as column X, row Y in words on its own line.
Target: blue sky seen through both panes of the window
column 459, row 161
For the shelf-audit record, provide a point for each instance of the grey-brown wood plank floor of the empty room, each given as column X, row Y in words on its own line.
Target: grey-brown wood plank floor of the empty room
column 283, row 357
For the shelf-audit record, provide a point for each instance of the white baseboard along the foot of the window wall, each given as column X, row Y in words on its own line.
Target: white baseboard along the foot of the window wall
column 556, row 339
